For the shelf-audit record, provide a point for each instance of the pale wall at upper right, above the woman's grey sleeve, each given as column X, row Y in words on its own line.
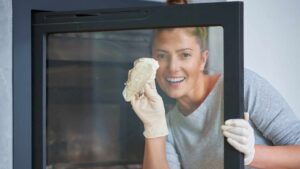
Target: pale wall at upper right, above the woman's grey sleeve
column 272, row 44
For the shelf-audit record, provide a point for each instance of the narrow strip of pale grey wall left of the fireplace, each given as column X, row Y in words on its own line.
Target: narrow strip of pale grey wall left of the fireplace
column 5, row 84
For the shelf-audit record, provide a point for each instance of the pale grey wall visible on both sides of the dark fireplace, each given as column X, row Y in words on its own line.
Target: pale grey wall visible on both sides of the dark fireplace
column 271, row 43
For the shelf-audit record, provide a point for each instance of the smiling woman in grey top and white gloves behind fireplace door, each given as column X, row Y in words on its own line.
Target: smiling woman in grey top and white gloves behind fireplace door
column 195, row 139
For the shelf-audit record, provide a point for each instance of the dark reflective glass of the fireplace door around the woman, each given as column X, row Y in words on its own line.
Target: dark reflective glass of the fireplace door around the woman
column 89, row 125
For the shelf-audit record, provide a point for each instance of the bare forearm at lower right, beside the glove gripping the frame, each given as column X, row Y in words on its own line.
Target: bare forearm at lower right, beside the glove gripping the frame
column 276, row 157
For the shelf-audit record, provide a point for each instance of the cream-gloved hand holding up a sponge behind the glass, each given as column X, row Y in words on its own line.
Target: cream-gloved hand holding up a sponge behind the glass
column 150, row 109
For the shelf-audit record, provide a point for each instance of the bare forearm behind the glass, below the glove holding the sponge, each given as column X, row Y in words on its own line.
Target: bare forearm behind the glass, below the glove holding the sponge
column 155, row 153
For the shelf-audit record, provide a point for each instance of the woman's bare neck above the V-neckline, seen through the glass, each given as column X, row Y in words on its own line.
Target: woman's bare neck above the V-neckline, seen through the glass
column 190, row 103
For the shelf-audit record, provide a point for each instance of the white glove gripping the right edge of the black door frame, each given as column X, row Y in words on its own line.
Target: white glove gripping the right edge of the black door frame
column 240, row 135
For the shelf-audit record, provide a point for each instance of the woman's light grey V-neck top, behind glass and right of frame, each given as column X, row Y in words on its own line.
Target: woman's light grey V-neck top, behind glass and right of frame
column 196, row 142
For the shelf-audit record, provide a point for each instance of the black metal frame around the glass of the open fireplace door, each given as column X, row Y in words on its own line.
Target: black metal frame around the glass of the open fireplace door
column 229, row 15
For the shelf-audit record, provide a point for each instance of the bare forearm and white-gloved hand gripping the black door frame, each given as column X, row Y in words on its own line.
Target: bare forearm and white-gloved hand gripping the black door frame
column 240, row 135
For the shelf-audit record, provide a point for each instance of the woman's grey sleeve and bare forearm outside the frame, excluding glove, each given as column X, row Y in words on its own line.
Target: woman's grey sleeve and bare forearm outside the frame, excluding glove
column 273, row 117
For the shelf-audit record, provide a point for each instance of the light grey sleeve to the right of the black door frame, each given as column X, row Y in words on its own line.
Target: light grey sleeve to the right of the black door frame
column 269, row 112
